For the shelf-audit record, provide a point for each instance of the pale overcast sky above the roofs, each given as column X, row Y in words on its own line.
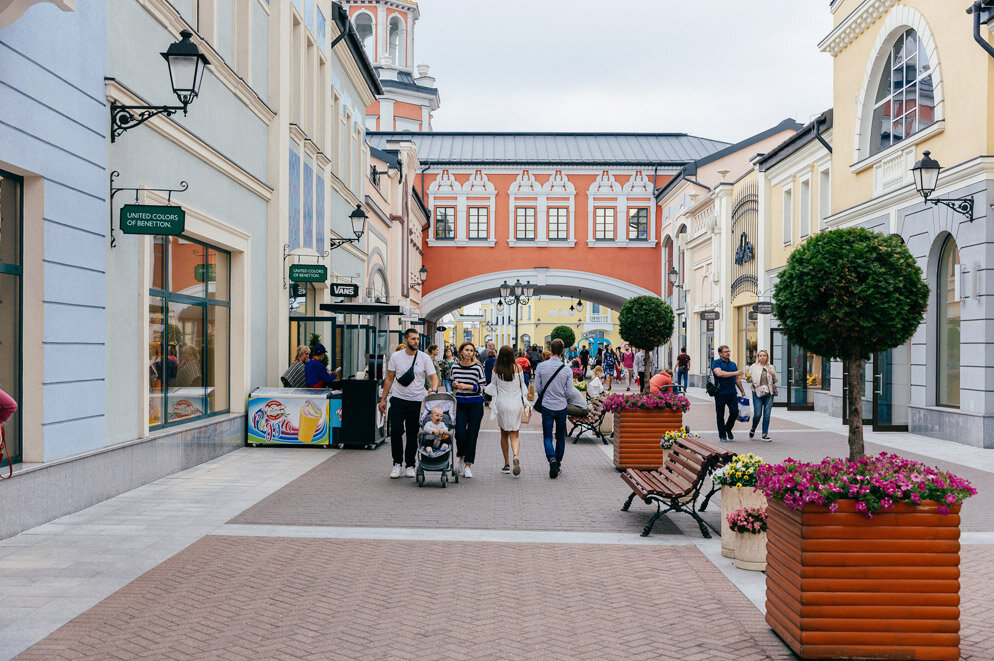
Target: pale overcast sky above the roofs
column 718, row 68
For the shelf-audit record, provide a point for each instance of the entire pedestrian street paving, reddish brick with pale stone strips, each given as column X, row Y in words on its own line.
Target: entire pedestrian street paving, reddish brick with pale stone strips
column 310, row 553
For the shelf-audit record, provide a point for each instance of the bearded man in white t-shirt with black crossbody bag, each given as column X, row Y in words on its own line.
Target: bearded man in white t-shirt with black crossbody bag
column 405, row 384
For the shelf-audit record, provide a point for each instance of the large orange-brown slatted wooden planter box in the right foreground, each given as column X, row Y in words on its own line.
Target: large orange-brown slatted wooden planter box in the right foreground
column 839, row 585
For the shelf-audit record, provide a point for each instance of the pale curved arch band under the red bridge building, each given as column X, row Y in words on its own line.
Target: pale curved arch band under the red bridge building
column 590, row 286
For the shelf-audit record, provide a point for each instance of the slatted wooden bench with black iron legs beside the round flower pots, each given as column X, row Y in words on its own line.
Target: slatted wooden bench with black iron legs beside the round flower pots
column 679, row 481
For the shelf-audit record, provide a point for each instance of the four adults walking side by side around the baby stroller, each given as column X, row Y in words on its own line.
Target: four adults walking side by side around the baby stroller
column 501, row 376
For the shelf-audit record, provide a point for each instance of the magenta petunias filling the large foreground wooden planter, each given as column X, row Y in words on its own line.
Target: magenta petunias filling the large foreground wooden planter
column 875, row 483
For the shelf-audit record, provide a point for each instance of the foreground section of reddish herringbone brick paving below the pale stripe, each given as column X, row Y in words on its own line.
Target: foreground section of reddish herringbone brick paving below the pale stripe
column 251, row 598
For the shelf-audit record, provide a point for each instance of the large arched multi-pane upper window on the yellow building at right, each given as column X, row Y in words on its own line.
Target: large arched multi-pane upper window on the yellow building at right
column 904, row 97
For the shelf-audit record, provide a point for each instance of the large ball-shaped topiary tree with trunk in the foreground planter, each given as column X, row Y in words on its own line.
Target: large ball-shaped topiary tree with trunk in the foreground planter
column 848, row 294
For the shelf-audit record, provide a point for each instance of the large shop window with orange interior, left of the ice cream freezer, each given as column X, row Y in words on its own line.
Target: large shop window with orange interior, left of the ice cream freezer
column 189, row 331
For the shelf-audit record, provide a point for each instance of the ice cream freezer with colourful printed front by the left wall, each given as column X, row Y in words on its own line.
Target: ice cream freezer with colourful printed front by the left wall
column 294, row 416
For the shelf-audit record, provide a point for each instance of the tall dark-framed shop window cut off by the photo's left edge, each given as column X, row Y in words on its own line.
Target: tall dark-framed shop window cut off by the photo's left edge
column 11, row 194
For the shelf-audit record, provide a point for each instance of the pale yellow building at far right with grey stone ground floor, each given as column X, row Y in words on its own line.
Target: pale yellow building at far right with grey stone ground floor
column 909, row 77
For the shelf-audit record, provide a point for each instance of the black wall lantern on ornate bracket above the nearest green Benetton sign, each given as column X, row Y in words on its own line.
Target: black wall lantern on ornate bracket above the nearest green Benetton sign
column 186, row 71
